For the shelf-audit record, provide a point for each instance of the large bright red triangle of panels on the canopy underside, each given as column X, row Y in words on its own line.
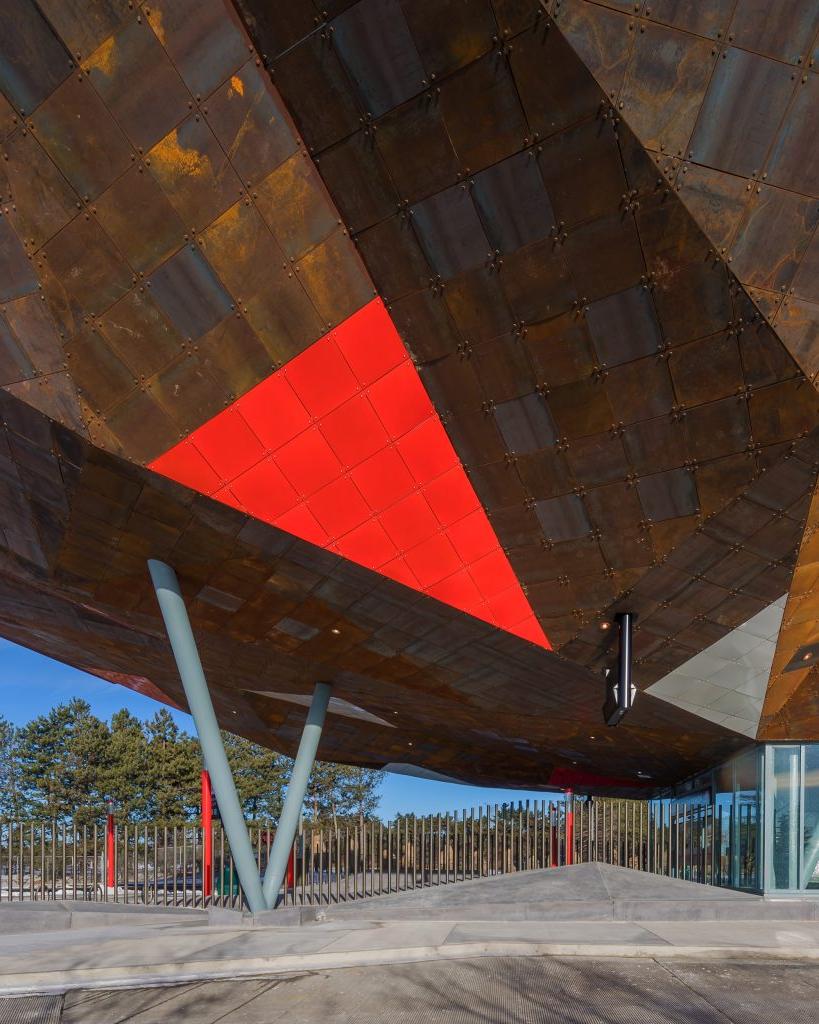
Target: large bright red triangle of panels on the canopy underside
column 343, row 448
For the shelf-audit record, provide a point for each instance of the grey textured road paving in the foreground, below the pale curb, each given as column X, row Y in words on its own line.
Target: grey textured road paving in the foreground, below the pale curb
column 502, row 991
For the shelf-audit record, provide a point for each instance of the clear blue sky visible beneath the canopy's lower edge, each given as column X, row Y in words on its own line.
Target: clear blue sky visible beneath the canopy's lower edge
column 31, row 685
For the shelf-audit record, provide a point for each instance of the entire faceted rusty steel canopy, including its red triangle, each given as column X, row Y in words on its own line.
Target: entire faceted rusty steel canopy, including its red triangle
column 488, row 320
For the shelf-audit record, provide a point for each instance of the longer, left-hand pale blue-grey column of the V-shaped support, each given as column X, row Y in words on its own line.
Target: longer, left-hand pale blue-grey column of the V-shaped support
column 199, row 701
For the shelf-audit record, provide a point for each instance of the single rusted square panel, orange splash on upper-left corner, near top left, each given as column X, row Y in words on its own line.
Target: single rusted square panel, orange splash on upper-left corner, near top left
column 135, row 76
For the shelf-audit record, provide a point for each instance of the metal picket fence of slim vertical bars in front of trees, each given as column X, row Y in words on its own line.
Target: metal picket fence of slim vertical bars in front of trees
column 163, row 867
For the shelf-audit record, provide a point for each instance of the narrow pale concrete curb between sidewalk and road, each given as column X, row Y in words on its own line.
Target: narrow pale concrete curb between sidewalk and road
column 171, row 974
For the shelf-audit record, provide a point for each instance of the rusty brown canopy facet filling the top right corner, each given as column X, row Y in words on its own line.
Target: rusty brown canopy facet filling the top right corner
column 755, row 124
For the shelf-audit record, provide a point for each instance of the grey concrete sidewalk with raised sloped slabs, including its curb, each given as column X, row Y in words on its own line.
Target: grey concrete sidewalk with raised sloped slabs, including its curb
column 696, row 925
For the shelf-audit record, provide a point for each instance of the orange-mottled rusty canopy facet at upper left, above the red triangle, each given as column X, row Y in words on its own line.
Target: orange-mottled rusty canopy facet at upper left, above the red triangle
column 163, row 129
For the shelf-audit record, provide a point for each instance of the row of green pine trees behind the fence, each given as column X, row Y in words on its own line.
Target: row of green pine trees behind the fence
column 69, row 764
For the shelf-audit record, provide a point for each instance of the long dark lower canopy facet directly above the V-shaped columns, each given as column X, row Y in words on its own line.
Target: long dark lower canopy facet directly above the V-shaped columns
column 261, row 599
